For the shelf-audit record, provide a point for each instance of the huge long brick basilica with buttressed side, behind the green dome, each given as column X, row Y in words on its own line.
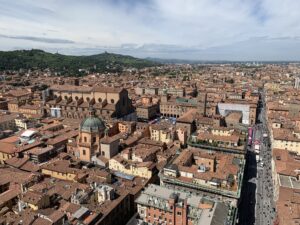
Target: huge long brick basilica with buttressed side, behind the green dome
column 74, row 101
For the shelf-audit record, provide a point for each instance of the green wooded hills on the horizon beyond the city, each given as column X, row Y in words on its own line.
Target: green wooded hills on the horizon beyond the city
column 69, row 65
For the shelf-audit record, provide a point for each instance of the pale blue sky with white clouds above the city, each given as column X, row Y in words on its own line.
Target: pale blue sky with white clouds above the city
column 184, row 29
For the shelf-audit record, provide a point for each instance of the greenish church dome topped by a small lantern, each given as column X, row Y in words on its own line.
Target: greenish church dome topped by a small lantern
column 92, row 124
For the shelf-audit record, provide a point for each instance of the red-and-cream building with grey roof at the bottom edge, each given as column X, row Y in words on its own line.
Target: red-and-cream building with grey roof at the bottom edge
column 160, row 205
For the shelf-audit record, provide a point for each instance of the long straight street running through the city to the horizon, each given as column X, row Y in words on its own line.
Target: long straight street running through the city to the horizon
column 256, row 206
